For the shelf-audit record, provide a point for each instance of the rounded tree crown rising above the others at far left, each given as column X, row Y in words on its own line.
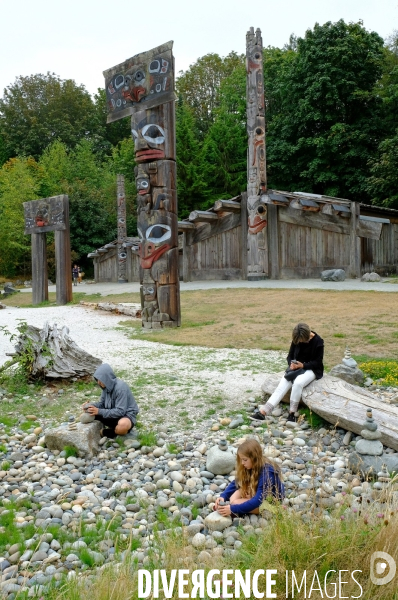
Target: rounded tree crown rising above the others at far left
column 37, row 110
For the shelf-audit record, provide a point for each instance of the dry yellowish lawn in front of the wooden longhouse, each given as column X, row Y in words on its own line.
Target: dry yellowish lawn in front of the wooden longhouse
column 264, row 319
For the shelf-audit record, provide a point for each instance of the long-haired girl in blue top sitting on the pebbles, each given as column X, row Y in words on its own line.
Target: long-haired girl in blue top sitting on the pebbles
column 257, row 478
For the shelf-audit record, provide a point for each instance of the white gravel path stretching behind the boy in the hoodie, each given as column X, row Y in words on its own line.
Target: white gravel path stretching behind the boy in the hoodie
column 167, row 380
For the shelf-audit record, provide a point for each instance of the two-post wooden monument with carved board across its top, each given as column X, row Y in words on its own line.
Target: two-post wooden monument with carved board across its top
column 41, row 216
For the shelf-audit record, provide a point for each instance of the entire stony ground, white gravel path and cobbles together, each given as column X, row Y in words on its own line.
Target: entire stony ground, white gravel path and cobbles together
column 62, row 516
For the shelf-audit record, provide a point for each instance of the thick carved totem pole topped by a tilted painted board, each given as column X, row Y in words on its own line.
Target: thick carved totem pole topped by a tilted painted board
column 143, row 87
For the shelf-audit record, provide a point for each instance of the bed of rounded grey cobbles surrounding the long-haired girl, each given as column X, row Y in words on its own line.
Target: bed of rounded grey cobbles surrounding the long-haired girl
column 61, row 516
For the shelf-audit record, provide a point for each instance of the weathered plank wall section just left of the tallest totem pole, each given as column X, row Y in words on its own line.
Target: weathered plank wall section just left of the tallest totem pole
column 217, row 257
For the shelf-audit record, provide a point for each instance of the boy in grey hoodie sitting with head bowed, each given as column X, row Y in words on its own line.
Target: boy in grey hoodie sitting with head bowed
column 117, row 408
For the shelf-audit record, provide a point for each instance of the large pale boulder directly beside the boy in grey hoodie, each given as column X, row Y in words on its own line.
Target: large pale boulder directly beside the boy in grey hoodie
column 85, row 438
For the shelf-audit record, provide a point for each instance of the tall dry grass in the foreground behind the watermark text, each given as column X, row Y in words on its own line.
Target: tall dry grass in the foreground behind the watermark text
column 321, row 548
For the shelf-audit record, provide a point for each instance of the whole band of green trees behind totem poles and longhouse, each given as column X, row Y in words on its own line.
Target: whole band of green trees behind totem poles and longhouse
column 332, row 128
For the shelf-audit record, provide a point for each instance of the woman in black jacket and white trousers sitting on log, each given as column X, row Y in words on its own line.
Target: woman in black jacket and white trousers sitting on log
column 305, row 360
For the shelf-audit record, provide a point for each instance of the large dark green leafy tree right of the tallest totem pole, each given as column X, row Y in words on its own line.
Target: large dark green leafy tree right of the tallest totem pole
column 327, row 126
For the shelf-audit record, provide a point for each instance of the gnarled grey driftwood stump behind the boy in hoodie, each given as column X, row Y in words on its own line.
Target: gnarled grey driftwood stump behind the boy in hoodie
column 50, row 353
